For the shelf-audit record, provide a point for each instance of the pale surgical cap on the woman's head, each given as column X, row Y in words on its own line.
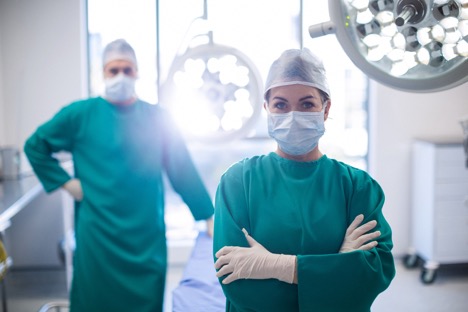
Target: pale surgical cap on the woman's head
column 297, row 67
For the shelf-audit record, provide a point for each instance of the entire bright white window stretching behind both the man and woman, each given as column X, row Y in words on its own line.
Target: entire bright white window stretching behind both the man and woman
column 161, row 33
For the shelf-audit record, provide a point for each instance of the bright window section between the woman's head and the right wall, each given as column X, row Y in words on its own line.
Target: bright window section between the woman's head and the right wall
column 346, row 136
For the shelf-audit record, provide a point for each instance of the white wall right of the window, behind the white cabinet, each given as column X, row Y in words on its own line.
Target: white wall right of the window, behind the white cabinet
column 397, row 118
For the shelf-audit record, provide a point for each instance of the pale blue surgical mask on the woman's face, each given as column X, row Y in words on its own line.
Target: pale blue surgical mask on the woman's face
column 297, row 133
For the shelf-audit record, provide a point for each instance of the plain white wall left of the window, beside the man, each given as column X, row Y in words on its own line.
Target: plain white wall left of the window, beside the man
column 42, row 62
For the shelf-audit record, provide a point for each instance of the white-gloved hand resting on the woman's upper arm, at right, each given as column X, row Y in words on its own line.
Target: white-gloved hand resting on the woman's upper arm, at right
column 358, row 238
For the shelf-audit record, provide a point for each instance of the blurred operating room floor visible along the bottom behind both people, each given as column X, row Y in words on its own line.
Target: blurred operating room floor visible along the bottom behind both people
column 28, row 290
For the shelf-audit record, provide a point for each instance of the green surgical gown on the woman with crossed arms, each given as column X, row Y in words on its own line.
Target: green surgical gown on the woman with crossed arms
column 303, row 209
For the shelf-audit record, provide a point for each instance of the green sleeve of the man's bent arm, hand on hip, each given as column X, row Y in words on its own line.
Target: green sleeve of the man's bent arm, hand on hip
column 53, row 136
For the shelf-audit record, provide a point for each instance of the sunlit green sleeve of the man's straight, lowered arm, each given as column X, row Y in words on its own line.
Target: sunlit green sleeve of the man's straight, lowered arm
column 183, row 174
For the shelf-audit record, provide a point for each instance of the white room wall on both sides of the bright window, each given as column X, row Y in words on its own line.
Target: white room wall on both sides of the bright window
column 43, row 67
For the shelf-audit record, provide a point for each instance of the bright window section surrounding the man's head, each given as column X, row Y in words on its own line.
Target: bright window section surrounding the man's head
column 135, row 22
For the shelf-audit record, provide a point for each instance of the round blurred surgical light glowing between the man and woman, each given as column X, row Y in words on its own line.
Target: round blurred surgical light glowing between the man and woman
column 214, row 93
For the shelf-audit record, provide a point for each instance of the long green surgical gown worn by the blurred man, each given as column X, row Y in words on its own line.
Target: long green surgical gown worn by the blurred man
column 119, row 155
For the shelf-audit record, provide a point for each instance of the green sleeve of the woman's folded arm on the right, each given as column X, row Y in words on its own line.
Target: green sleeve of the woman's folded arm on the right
column 350, row 281
